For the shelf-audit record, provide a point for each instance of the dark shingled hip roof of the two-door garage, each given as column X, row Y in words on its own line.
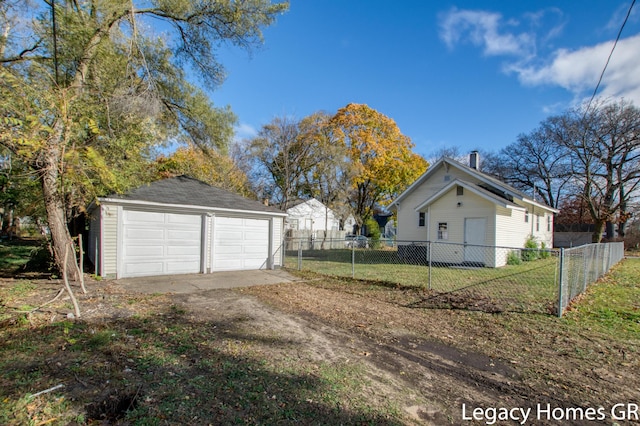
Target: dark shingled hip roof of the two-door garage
column 187, row 191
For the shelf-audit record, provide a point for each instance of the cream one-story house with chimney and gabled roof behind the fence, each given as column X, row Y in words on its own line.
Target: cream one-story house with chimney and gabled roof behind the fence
column 455, row 203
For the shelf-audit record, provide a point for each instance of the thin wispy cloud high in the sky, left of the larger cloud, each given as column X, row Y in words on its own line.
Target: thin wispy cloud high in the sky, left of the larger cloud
column 484, row 29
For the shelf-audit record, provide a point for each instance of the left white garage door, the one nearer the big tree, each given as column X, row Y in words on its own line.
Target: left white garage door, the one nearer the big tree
column 157, row 243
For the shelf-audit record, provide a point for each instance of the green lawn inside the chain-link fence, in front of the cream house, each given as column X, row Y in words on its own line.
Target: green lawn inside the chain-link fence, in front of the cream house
column 527, row 287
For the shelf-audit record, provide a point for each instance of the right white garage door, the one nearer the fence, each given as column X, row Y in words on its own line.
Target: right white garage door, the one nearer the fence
column 240, row 243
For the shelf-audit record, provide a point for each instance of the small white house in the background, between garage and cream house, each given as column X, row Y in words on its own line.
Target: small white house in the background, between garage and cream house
column 311, row 215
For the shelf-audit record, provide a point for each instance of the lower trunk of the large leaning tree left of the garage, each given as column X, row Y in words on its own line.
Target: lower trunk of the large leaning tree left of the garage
column 53, row 203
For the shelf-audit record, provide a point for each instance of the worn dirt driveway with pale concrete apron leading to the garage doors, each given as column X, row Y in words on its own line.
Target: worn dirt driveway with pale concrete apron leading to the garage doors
column 430, row 379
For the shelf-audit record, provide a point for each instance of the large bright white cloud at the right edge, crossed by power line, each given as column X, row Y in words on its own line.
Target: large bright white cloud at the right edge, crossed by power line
column 578, row 70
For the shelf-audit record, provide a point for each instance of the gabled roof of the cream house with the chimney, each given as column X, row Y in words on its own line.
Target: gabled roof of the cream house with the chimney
column 489, row 183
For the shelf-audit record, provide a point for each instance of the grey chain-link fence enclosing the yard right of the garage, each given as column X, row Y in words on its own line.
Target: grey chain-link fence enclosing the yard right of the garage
column 458, row 276
